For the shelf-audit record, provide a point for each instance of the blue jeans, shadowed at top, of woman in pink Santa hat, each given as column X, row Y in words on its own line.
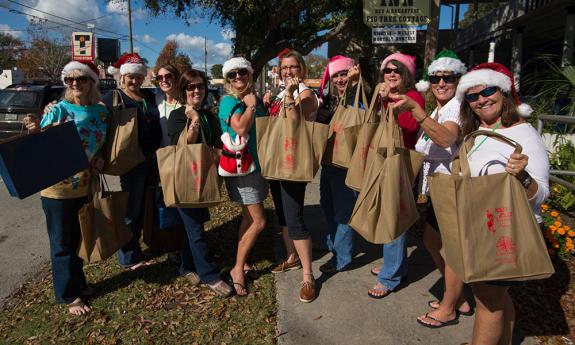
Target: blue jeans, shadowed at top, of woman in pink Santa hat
column 337, row 202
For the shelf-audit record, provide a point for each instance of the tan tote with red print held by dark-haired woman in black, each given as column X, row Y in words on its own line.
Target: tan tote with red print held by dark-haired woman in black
column 189, row 174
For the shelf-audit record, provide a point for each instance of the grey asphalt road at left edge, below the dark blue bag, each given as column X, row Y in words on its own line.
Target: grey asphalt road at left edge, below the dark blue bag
column 23, row 240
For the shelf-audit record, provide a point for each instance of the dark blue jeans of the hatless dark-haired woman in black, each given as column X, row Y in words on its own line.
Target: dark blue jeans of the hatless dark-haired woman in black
column 194, row 253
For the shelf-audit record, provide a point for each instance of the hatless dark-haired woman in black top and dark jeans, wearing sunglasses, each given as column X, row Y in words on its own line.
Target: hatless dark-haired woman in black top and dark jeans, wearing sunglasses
column 196, row 264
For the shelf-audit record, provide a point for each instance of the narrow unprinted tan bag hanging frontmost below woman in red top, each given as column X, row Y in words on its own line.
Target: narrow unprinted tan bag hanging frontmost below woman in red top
column 385, row 207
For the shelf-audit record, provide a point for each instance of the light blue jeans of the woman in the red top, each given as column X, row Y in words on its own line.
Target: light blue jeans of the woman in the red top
column 394, row 269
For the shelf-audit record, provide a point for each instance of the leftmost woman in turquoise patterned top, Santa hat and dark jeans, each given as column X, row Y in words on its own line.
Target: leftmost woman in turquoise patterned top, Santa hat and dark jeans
column 62, row 202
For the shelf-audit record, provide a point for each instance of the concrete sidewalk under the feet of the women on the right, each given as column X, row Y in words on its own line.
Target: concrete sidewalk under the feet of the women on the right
column 343, row 313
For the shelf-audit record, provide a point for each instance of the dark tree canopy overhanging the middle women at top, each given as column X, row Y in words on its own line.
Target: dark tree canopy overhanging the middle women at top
column 264, row 28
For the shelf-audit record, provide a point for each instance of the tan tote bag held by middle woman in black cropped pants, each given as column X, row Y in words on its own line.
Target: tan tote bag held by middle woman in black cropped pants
column 290, row 149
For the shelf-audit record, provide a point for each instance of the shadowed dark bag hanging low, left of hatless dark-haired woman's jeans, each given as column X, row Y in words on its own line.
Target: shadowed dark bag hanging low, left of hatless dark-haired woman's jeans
column 159, row 240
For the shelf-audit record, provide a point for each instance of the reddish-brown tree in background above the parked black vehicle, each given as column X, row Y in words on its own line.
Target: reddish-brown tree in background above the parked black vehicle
column 44, row 59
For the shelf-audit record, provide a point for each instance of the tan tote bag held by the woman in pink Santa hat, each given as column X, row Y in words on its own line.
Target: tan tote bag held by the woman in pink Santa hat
column 340, row 143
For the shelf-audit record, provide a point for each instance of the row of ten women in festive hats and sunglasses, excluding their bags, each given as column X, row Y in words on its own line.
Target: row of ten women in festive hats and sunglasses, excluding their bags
column 483, row 98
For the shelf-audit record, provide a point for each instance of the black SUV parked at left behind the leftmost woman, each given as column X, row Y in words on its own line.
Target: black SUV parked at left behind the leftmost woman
column 19, row 100
